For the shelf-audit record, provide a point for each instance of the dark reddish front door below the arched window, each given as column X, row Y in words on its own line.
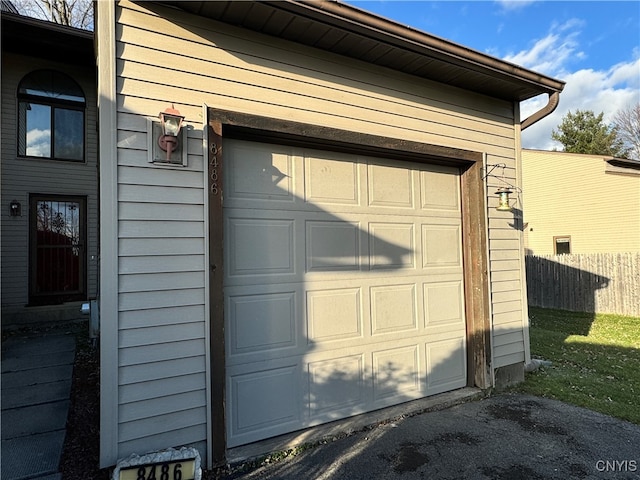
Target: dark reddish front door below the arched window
column 58, row 242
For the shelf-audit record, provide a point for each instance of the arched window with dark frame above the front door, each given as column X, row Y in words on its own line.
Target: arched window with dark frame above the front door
column 51, row 109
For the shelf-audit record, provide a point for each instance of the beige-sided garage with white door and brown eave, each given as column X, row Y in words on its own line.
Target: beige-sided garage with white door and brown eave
column 358, row 260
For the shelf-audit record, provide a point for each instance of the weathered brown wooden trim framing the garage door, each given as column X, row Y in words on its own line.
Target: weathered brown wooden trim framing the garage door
column 251, row 127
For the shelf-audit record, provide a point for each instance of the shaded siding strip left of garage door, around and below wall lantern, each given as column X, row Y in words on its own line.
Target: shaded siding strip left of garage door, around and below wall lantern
column 161, row 295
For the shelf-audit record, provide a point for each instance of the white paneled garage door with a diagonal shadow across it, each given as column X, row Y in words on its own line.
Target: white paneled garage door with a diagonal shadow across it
column 343, row 286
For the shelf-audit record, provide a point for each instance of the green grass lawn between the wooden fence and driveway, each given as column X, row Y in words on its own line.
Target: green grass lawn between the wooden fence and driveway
column 595, row 360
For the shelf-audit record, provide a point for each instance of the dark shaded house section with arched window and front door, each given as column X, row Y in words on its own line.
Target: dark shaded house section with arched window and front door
column 49, row 170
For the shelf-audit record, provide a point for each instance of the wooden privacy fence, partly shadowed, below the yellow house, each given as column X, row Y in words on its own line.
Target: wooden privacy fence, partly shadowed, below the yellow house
column 598, row 282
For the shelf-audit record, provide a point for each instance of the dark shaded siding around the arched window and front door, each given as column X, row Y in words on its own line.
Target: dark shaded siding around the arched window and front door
column 22, row 176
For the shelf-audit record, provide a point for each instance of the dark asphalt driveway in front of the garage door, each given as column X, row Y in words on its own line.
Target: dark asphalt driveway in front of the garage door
column 506, row 436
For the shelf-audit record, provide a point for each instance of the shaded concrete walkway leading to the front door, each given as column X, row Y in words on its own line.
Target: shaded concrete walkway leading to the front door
column 36, row 386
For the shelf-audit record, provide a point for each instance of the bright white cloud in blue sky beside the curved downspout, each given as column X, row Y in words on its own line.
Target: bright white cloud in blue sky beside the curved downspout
column 604, row 91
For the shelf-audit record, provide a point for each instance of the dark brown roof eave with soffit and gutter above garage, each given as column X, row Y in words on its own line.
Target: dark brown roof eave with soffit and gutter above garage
column 344, row 30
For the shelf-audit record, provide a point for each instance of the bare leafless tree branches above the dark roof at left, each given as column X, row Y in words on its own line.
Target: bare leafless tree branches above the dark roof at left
column 73, row 13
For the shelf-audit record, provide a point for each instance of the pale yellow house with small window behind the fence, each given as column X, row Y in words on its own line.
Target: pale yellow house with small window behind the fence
column 575, row 203
